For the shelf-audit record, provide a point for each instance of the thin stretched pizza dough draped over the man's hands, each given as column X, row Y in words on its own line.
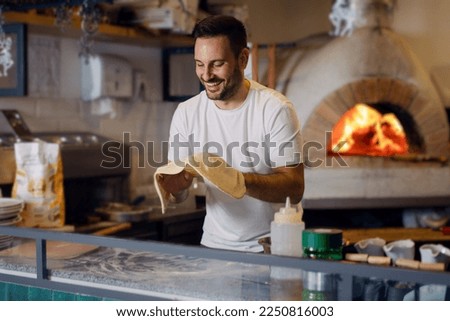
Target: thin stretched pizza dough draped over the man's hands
column 211, row 167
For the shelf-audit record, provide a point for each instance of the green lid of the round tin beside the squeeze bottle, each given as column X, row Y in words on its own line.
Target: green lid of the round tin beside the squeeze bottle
column 322, row 238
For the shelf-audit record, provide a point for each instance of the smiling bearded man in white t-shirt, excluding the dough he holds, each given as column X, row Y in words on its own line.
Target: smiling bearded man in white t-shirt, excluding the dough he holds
column 253, row 128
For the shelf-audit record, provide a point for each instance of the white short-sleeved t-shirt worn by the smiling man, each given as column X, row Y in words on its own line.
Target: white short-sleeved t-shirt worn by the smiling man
column 261, row 134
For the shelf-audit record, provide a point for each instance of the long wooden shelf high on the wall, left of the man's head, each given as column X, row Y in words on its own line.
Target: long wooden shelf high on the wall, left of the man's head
column 45, row 24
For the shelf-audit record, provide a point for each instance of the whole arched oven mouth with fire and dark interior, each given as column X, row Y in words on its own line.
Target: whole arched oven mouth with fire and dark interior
column 380, row 129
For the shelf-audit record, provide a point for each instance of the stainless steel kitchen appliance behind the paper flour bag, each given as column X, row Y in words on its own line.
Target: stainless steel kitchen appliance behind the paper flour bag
column 92, row 176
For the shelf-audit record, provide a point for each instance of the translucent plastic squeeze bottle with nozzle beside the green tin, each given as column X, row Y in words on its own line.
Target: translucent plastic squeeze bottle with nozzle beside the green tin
column 286, row 231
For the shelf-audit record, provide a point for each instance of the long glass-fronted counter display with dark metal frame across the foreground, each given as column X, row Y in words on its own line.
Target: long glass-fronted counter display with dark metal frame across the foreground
column 110, row 268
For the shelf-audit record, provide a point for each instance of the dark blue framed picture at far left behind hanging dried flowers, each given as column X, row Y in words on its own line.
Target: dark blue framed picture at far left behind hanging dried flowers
column 13, row 62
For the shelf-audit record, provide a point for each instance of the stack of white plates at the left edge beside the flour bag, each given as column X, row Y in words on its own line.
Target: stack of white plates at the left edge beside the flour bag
column 10, row 209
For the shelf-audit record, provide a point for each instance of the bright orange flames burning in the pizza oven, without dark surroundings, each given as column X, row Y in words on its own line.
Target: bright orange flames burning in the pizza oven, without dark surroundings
column 362, row 130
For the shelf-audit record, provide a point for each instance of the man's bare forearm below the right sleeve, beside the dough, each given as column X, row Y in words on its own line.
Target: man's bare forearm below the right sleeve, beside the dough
column 277, row 186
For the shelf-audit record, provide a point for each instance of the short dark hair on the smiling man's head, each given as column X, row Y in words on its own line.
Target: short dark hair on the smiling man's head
column 222, row 25
